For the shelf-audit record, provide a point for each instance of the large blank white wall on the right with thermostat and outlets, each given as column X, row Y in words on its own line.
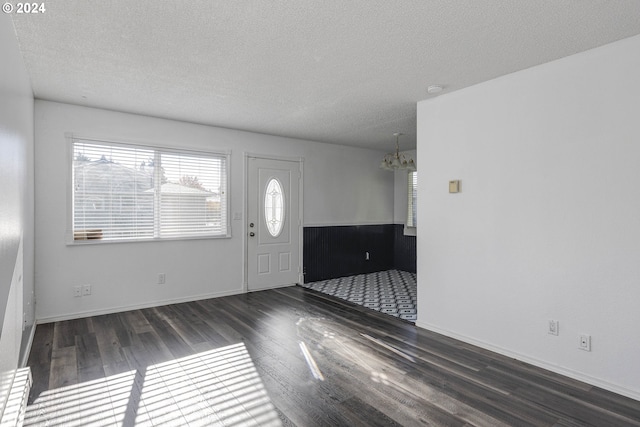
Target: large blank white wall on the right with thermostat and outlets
column 547, row 225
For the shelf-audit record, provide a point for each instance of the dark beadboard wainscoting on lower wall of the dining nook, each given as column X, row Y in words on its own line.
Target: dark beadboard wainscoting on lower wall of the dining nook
column 337, row 251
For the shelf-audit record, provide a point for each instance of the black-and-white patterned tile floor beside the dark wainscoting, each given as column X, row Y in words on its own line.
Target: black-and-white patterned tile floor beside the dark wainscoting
column 392, row 292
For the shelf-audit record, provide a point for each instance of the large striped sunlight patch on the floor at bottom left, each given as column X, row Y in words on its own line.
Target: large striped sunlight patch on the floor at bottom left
column 218, row 387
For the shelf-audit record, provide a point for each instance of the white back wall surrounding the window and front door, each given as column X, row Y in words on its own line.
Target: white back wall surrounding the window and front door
column 342, row 185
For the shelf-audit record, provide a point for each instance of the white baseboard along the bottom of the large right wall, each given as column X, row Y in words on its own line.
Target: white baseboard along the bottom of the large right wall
column 633, row 394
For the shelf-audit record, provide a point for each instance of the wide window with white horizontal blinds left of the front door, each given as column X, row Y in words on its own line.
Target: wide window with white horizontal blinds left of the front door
column 128, row 192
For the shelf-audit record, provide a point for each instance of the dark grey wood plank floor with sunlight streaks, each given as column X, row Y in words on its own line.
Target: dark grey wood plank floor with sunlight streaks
column 291, row 356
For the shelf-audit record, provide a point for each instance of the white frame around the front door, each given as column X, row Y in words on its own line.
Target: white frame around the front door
column 245, row 228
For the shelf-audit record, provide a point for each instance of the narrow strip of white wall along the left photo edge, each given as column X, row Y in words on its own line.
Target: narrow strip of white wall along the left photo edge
column 16, row 203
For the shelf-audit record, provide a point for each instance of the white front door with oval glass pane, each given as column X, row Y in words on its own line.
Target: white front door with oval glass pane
column 273, row 223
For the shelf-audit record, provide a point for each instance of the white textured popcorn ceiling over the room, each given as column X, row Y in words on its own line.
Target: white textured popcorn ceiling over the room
column 341, row 71
